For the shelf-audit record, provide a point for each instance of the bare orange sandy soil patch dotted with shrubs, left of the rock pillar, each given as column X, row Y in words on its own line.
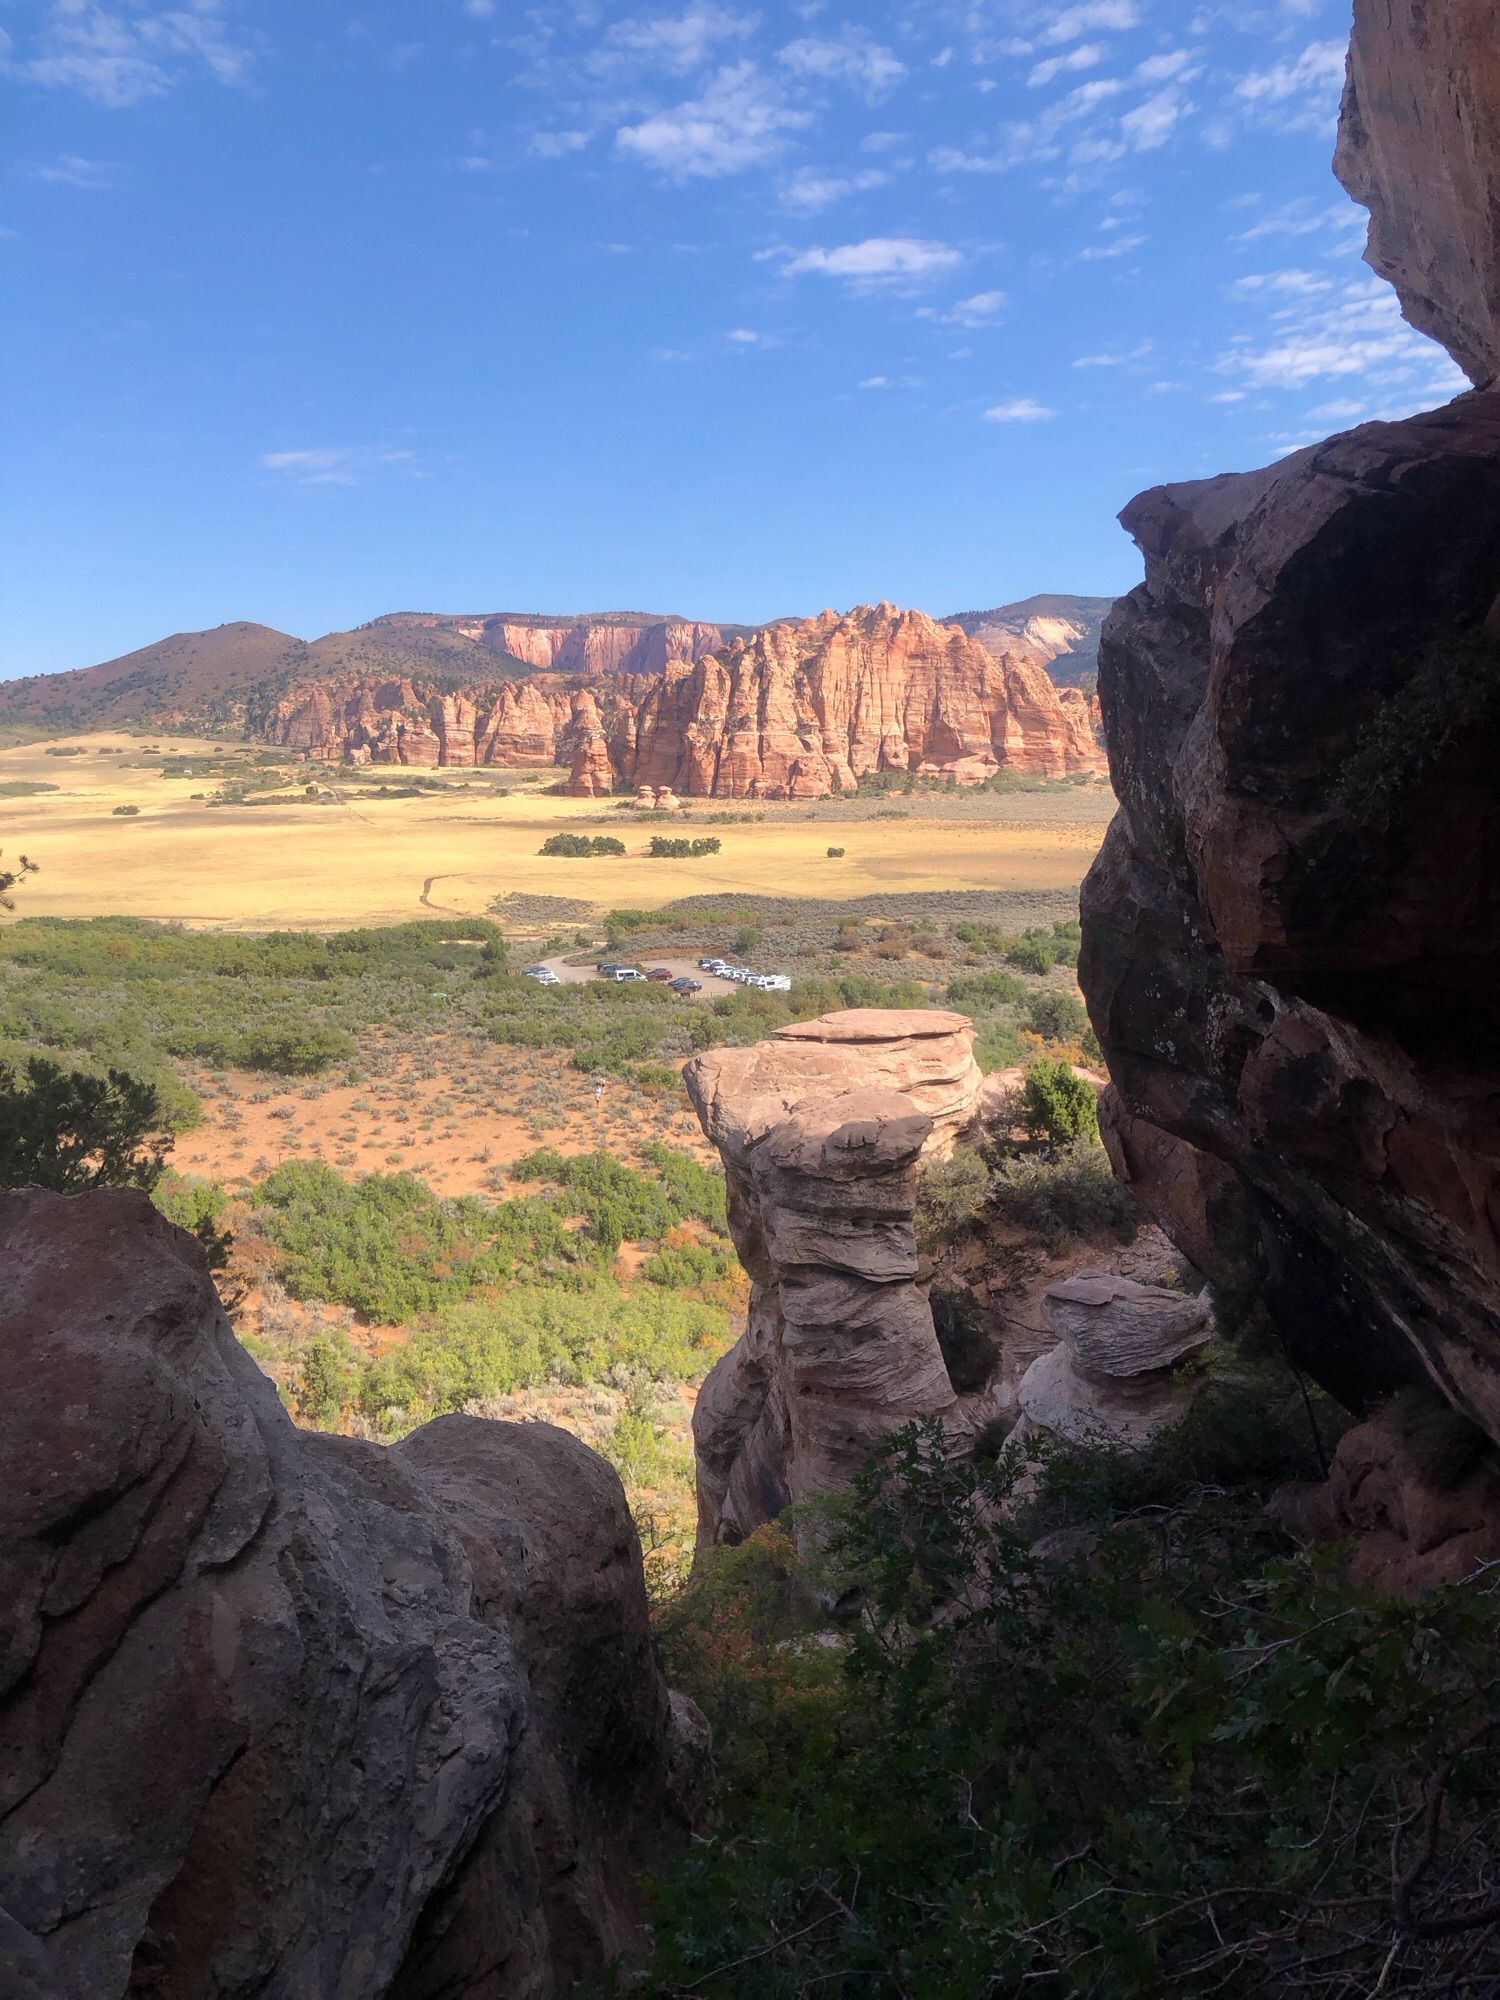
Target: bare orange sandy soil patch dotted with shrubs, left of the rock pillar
column 425, row 1115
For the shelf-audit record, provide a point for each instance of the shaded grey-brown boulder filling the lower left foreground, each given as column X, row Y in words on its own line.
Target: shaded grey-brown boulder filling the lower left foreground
column 285, row 1713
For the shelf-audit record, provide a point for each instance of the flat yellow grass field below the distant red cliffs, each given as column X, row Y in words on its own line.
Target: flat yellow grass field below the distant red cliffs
column 325, row 867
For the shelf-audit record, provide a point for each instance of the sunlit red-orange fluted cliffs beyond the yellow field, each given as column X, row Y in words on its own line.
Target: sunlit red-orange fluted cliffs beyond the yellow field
column 797, row 711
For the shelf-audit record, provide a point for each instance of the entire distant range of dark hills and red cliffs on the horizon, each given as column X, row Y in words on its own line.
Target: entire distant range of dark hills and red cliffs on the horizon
column 797, row 709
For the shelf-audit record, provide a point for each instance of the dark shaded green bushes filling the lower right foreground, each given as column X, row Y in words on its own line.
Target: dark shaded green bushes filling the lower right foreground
column 1169, row 1757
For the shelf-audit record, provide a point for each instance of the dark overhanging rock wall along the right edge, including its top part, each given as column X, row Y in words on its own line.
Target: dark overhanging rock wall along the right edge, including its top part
column 1293, row 933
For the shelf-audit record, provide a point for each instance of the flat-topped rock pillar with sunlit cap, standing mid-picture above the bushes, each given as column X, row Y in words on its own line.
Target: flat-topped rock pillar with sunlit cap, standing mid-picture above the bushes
column 821, row 1131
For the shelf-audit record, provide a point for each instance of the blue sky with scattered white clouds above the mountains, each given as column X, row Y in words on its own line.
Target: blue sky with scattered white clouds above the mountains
column 319, row 311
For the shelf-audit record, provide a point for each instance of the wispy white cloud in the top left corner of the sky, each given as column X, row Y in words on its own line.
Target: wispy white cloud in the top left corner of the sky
column 119, row 57
